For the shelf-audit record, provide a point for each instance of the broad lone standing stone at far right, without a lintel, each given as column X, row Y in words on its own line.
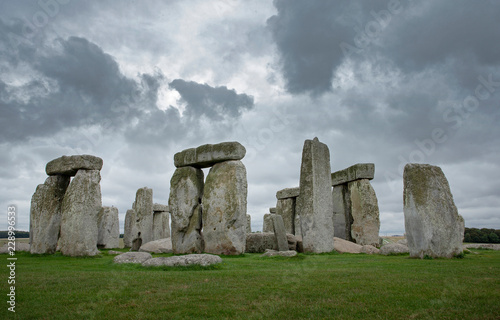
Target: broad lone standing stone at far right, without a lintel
column 433, row 226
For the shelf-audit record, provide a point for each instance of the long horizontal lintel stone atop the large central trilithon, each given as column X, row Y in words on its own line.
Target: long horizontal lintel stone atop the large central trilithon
column 209, row 154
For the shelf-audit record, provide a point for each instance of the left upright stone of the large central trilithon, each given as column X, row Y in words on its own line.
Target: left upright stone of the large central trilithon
column 186, row 190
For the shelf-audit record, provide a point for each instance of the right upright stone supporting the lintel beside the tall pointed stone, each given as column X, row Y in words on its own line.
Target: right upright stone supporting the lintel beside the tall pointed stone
column 364, row 212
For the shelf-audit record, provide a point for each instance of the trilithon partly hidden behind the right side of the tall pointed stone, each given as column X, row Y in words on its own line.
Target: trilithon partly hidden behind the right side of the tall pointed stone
column 356, row 213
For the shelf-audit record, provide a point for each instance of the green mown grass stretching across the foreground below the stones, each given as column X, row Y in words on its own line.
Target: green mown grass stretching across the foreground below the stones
column 326, row 286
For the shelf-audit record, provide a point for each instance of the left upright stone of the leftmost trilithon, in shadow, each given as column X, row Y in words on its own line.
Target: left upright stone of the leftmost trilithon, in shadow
column 46, row 213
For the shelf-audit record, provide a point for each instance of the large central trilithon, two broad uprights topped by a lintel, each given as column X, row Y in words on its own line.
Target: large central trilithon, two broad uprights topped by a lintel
column 217, row 205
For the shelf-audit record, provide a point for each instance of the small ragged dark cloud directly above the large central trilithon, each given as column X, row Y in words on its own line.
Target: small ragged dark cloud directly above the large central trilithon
column 213, row 102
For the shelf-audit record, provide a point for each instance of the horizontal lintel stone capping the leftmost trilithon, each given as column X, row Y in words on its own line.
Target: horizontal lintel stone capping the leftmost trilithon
column 69, row 165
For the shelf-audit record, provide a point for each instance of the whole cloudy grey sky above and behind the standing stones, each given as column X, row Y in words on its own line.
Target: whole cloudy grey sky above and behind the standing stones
column 134, row 82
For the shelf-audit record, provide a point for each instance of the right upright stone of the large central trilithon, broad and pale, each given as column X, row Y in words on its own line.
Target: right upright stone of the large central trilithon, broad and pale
column 225, row 207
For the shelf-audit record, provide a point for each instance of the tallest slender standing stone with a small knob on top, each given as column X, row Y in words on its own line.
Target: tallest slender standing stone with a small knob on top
column 315, row 203
